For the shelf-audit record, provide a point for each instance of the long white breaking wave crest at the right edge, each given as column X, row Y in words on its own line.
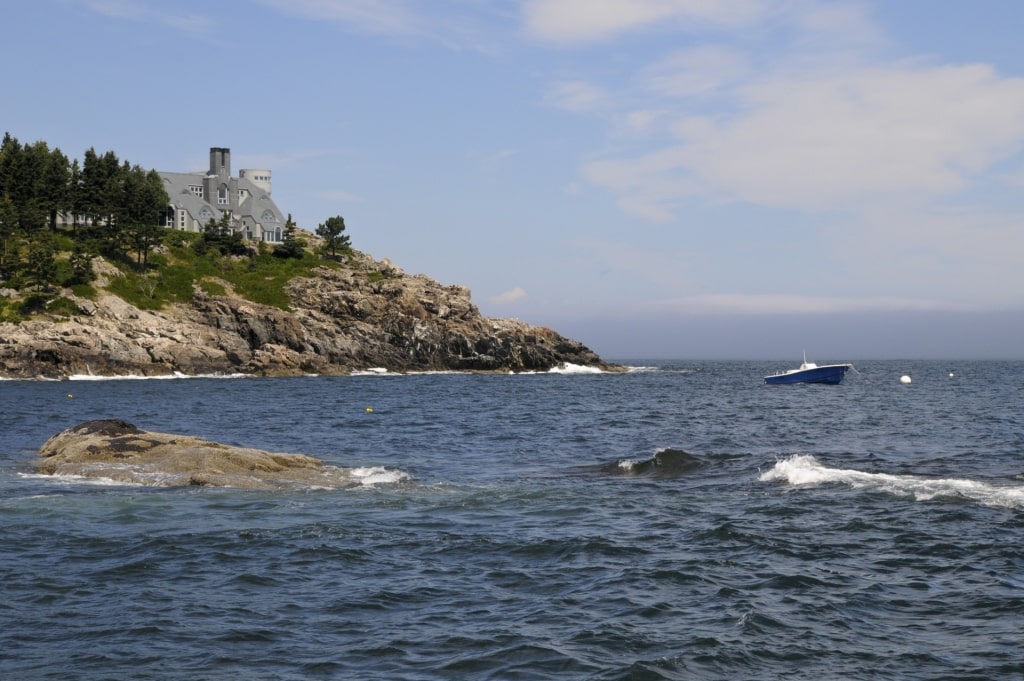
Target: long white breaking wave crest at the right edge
column 806, row 471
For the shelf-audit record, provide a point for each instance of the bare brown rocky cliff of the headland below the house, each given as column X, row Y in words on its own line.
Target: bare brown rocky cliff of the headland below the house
column 342, row 320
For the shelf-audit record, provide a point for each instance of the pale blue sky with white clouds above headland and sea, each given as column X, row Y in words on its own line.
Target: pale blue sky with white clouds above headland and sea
column 656, row 179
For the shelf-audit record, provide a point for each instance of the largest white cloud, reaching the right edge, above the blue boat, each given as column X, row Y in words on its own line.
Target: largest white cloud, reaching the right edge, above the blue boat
column 832, row 140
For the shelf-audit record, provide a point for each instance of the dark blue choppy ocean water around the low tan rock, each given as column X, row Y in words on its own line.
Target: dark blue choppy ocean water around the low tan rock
column 679, row 522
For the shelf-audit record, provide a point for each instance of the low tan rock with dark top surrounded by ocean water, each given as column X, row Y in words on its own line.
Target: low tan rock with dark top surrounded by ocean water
column 118, row 451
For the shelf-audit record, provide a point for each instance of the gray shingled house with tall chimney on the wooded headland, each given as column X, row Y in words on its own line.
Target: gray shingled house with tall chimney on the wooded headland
column 200, row 197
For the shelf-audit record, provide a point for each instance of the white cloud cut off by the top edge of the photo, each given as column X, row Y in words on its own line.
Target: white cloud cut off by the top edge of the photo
column 570, row 22
